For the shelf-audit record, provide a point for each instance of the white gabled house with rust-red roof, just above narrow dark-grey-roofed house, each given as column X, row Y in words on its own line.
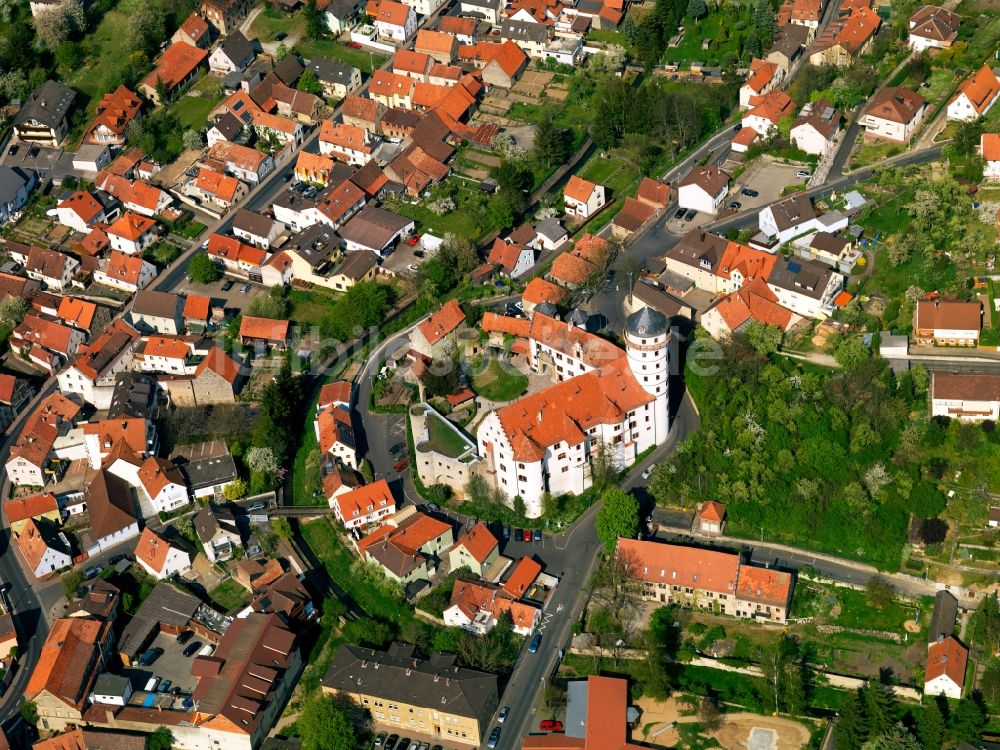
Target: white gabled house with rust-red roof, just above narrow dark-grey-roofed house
column 93, row 375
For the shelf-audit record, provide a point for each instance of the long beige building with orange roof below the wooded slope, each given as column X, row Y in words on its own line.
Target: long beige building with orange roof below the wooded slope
column 707, row 579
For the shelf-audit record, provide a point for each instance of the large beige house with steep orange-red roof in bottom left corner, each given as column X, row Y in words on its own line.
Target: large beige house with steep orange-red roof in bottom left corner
column 73, row 655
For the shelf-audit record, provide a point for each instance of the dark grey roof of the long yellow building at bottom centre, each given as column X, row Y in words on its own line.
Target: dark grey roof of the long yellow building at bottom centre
column 397, row 675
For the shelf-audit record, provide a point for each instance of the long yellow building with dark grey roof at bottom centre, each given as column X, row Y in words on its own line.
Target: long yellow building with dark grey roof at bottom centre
column 442, row 700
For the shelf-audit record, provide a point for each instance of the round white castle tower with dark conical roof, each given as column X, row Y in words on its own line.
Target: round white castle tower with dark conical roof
column 647, row 342
